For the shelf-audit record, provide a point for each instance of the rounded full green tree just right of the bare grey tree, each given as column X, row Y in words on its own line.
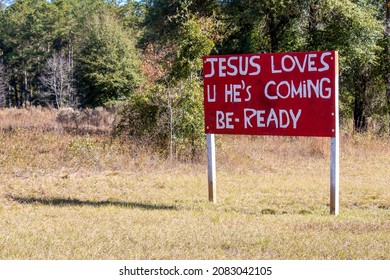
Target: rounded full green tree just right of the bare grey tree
column 107, row 66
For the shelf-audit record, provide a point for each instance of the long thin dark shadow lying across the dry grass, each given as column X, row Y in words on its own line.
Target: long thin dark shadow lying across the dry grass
column 62, row 202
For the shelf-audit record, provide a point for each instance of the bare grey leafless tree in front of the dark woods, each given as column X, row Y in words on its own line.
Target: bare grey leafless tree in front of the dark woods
column 57, row 79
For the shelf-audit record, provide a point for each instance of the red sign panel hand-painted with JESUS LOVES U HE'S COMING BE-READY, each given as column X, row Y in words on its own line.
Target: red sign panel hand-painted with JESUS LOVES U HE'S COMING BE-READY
column 292, row 94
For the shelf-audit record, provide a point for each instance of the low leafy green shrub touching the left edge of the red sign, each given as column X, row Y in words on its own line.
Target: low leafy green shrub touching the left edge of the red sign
column 169, row 117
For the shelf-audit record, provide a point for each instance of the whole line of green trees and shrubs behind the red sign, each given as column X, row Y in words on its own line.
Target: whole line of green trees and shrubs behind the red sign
column 147, row 54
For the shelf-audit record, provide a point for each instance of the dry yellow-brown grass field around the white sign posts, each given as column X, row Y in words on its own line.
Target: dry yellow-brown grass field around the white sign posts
column 64, row 196
